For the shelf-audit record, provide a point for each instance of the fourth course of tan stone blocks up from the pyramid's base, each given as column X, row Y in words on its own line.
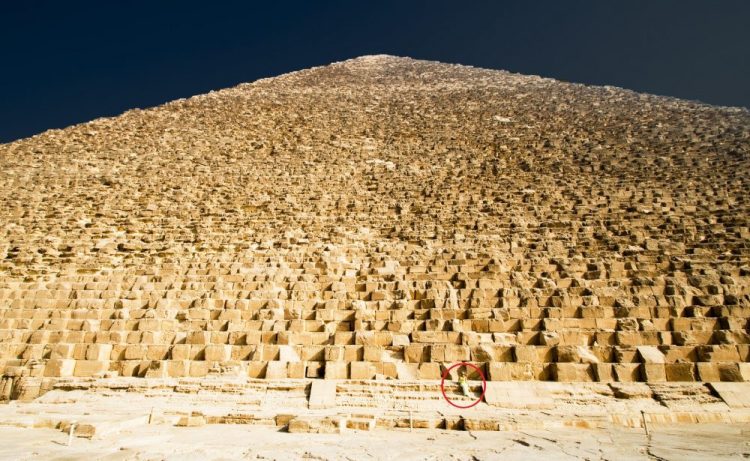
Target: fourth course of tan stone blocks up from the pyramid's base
column 482, row 321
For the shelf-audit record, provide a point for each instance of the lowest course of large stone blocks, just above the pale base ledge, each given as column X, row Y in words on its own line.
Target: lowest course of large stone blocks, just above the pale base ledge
column 494, row 371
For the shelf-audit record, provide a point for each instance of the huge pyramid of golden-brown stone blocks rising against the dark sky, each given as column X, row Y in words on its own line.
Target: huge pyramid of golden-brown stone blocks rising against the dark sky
column 377, row 221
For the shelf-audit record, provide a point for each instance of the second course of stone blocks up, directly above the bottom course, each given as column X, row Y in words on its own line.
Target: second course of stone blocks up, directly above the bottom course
column 409, row 353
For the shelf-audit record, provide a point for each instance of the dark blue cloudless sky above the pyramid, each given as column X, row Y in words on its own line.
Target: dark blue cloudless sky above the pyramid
column 69, row 62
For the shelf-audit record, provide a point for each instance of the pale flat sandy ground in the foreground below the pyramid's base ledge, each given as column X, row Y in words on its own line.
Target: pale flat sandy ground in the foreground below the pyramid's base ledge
column 217, row 442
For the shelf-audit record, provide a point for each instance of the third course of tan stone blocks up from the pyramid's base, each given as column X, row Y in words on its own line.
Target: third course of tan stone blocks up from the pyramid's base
column 39, row 344
